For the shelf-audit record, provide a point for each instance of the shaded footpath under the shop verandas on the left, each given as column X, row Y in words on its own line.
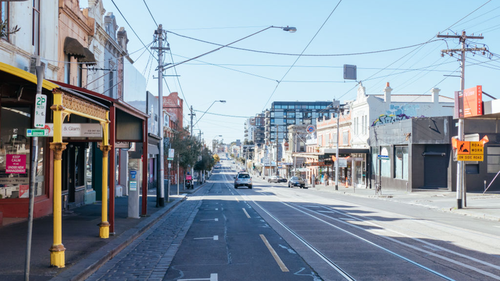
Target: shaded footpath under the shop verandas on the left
column 85, row 251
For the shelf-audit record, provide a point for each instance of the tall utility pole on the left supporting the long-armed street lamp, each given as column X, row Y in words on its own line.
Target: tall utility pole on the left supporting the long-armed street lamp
column 161, row 157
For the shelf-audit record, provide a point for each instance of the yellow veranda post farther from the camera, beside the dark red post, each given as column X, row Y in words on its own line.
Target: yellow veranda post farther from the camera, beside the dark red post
column 105, row 147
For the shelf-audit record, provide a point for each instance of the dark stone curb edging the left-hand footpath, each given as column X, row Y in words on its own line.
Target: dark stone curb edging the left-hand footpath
column 87, row 266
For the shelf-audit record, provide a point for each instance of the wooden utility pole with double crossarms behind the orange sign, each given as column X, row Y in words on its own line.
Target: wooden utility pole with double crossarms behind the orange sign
column 461, row 186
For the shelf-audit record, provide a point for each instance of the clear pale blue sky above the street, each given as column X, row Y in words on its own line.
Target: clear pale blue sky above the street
column 388, row 41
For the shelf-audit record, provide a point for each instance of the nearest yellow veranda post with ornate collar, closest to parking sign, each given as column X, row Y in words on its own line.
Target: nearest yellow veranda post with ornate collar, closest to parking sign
column 57, row 250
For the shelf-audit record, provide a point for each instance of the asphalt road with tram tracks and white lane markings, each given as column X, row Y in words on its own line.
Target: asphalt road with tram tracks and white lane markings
column 273, row 232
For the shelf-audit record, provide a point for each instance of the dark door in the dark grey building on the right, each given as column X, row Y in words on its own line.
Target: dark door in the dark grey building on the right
column 435, row 166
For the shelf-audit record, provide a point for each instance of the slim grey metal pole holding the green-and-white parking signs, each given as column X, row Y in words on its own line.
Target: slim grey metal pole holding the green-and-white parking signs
column 33, row 165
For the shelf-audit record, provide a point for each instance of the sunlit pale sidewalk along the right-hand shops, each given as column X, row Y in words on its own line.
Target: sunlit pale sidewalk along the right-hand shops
column 481, row 206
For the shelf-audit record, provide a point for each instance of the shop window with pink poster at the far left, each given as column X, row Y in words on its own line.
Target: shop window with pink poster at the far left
column 15, row 154
